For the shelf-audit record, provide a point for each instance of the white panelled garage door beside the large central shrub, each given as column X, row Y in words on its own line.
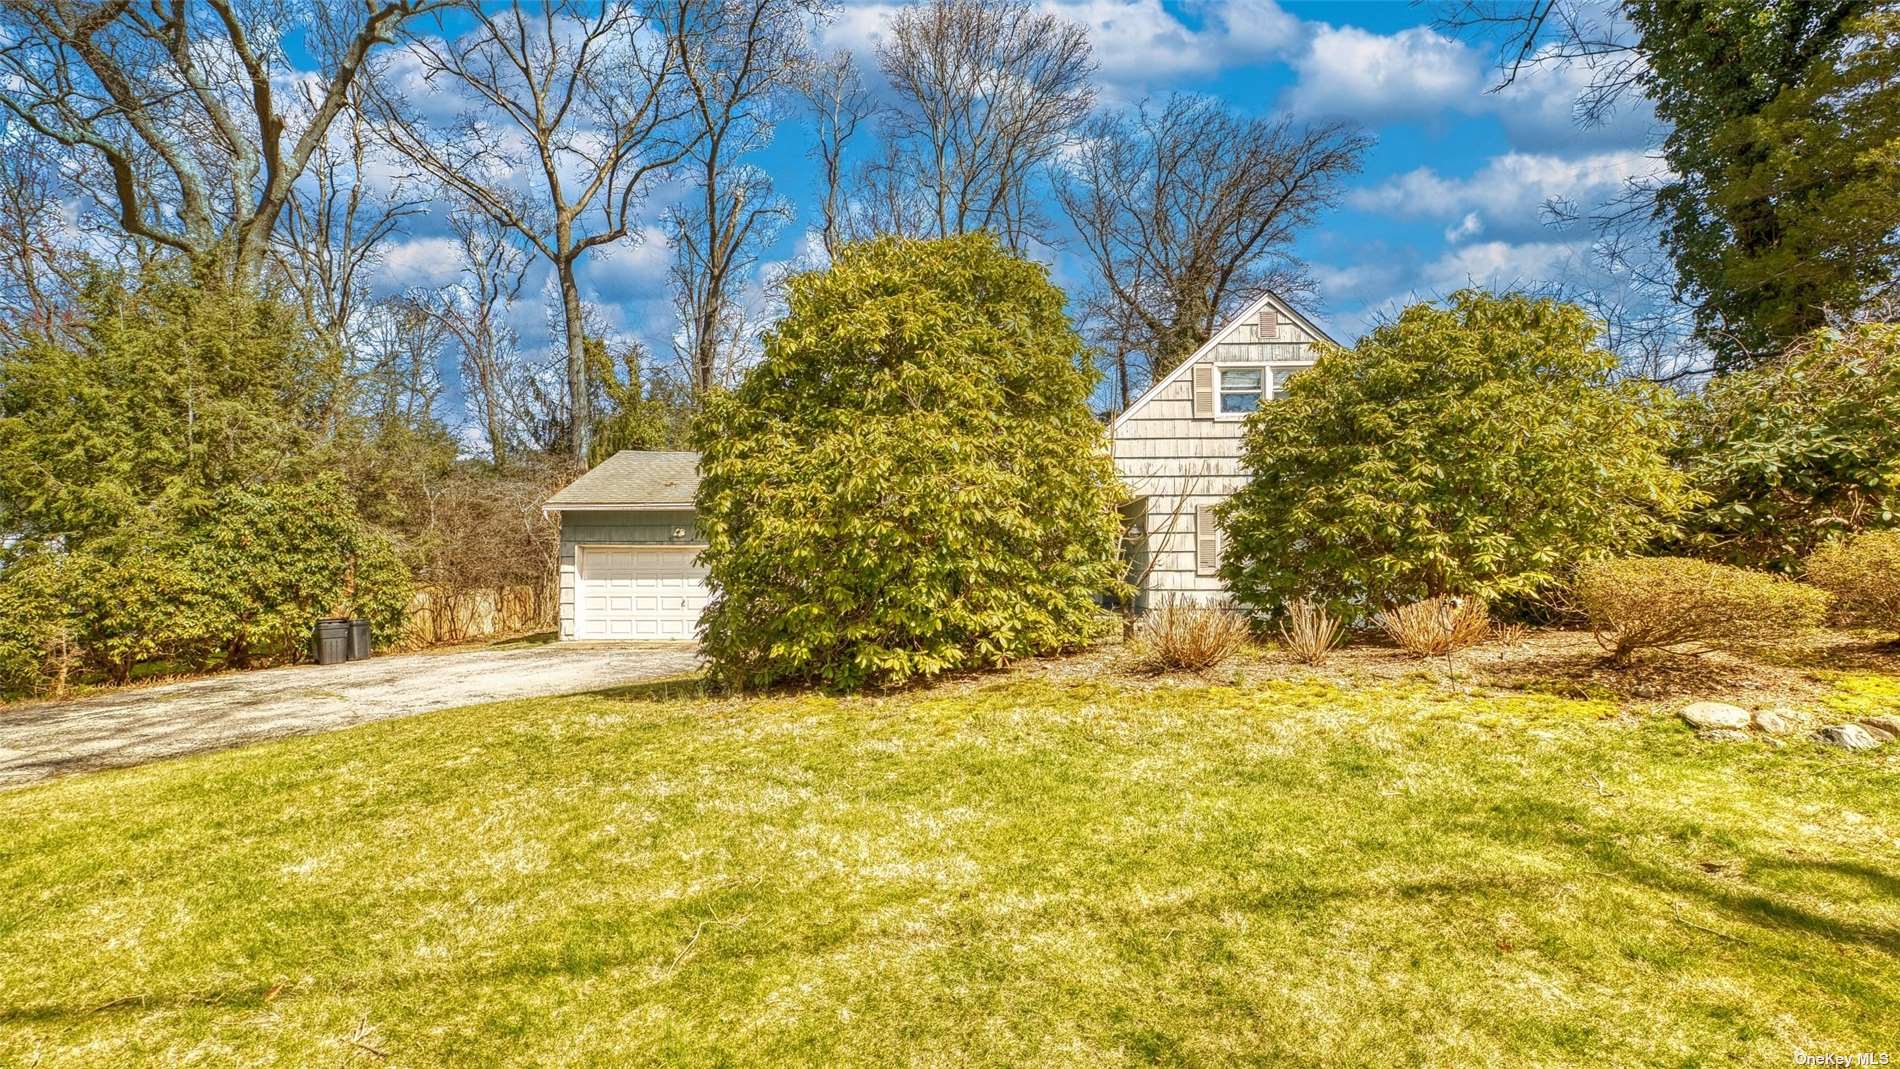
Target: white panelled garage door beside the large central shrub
column 639, row 593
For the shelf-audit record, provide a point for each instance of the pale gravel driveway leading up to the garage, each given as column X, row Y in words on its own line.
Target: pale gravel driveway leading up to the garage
column 143, row 724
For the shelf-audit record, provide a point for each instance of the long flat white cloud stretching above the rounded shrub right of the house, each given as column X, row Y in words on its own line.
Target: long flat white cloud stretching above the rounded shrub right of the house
column 1508, row 198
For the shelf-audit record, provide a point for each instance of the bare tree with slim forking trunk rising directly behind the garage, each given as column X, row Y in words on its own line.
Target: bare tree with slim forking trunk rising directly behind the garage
column 584, row 98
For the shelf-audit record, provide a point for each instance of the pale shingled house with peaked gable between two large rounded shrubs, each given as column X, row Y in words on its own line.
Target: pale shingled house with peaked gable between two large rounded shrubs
column 1179, row 449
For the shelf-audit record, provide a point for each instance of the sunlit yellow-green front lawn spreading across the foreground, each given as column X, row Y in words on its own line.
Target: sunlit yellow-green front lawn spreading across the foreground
column 1019, row 874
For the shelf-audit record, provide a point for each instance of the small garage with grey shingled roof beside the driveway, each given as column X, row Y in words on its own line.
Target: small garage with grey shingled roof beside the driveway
column 630, row 552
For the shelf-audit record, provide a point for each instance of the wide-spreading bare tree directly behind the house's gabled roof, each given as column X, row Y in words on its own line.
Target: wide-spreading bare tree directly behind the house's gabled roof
column 1190, row 212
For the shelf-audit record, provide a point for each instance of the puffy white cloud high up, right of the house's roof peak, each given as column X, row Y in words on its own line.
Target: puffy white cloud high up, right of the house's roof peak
column 1416, row 73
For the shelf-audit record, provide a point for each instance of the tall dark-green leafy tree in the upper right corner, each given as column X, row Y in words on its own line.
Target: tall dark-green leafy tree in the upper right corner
column 1785, row 147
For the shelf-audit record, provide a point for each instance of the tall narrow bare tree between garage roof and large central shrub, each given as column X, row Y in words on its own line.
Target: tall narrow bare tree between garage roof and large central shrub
column 736, row 60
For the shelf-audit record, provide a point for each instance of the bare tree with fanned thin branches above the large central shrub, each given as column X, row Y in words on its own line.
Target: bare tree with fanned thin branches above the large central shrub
column 989, row 92
